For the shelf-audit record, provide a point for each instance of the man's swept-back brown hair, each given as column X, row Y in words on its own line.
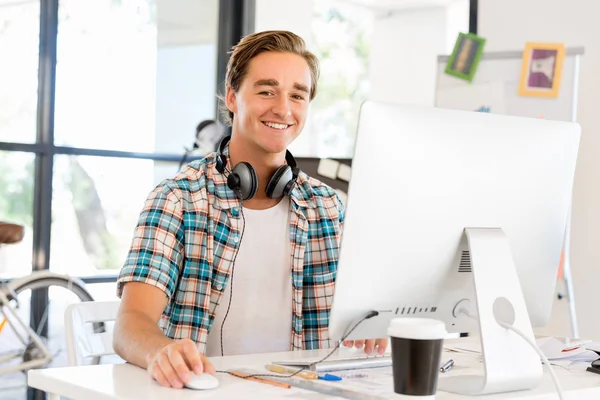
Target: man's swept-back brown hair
column 252, row 45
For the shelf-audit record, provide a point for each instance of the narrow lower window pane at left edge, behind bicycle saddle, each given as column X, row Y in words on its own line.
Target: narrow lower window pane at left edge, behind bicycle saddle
column 16, row 206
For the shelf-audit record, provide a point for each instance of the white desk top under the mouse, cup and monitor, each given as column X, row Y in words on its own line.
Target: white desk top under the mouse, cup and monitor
column 127, row 382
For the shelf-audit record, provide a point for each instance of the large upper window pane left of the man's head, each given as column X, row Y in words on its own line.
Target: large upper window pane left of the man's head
column 134, row 75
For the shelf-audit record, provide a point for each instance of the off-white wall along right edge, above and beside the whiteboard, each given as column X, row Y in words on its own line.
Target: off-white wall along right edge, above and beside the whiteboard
column 507, row 25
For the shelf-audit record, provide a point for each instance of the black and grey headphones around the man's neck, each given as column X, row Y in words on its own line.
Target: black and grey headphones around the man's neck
column 244, row 181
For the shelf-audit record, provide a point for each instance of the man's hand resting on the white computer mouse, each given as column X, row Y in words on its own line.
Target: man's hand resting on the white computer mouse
column 174, row 364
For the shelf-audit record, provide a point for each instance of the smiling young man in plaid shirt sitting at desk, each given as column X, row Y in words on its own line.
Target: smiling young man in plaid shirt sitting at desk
column 238, row 253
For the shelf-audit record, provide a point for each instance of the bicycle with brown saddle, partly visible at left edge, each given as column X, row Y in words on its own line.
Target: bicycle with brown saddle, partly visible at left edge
column 34, row 351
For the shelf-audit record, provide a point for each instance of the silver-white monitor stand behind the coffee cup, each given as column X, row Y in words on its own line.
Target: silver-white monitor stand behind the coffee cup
column 509, row 363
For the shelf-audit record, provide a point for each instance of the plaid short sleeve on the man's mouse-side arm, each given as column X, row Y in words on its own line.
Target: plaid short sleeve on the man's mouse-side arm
column 157, row 251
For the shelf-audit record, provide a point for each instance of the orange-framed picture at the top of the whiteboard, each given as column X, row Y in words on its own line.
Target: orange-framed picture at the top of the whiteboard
column 541, row 70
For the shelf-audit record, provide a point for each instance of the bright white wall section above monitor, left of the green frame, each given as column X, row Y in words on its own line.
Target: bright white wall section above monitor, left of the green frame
column 405, row 46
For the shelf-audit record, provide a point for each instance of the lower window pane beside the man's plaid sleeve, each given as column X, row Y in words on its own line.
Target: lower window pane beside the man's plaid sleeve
column 96, row 205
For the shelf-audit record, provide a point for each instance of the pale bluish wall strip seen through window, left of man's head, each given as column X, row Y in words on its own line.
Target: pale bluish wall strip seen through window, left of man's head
column 186, row 62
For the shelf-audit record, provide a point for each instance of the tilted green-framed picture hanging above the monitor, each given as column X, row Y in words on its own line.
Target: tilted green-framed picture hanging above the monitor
column 465, row 57
